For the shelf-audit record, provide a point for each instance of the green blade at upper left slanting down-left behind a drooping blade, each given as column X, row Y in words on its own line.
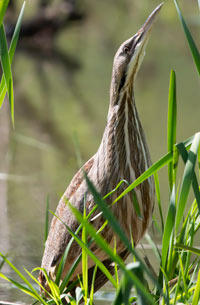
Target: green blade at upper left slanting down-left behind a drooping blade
column 11, row 52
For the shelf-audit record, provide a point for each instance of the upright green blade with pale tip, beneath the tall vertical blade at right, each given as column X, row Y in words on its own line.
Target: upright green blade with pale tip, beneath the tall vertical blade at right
column 168, row 229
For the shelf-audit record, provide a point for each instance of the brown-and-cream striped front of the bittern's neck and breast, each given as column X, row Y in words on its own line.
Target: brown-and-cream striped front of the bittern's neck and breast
column 123, row 155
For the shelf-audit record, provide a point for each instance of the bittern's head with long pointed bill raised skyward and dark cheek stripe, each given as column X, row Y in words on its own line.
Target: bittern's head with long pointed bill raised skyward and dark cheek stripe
column 129, row 57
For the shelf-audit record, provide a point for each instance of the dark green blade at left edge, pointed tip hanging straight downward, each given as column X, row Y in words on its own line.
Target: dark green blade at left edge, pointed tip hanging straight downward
column 5, row 62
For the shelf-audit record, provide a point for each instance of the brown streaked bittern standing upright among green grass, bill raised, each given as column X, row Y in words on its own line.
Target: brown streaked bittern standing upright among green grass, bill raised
column 122, row 155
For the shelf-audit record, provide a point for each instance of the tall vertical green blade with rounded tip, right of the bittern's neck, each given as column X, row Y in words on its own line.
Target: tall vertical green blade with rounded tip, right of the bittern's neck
column 171, row 126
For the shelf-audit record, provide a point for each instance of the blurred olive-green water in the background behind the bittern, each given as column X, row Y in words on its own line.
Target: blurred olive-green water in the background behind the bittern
column 61, row 107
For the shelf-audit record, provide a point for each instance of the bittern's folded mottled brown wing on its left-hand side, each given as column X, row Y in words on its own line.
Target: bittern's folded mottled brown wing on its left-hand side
column 58, row 236
